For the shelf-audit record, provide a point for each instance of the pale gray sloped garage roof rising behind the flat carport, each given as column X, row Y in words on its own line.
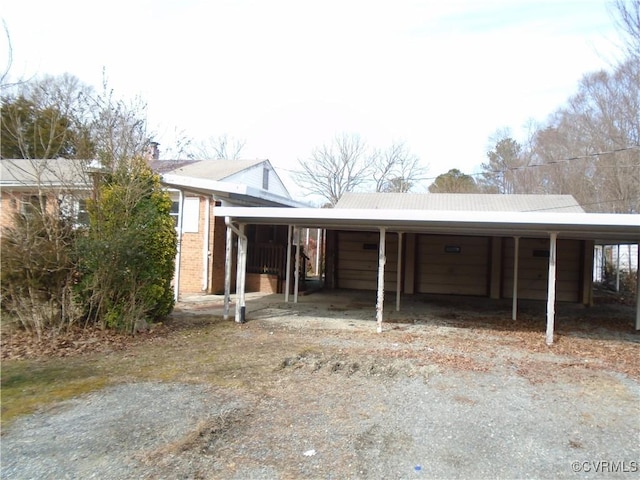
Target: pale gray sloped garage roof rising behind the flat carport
column 461, row 202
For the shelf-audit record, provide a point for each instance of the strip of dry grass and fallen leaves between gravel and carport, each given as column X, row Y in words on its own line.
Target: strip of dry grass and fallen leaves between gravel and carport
column 199, row 347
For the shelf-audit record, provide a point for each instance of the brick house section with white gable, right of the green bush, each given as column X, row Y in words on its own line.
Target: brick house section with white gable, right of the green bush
column 198, row 188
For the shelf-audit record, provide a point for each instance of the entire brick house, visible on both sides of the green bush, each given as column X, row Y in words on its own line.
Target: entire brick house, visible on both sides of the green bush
column 197, row 188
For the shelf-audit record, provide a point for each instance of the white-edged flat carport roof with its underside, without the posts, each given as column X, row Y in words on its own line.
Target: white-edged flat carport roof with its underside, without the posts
column 602, row 228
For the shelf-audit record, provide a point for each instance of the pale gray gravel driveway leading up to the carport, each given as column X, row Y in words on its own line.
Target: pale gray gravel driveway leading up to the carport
column 352, row 405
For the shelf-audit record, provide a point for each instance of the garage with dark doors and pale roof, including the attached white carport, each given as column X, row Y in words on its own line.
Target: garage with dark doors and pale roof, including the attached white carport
column 499, row 246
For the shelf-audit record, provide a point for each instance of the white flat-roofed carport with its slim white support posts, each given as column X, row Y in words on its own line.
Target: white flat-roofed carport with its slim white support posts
column 600, row 228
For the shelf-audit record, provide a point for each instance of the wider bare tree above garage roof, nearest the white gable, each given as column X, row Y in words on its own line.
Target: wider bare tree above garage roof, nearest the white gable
column 336, row 168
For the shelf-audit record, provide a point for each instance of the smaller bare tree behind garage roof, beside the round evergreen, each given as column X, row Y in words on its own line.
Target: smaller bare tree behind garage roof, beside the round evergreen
column 396, row 169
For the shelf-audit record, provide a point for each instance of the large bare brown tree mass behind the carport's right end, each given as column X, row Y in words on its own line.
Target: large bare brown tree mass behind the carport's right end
column 589, row 148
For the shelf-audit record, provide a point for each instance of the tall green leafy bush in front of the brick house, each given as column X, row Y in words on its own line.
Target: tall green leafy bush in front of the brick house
column 127, row 259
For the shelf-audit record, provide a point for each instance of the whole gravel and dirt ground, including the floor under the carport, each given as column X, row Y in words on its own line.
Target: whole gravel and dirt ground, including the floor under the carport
column 452, row 388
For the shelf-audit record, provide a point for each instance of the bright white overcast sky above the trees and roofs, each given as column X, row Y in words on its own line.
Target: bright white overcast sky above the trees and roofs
column 442, row 76
